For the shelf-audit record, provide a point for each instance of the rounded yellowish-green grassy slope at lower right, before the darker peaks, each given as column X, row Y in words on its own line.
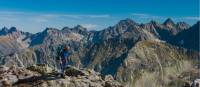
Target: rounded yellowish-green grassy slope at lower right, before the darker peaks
column 153, row 64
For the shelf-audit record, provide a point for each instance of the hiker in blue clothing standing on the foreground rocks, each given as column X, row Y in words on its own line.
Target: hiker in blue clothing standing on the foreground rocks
column 64, row 58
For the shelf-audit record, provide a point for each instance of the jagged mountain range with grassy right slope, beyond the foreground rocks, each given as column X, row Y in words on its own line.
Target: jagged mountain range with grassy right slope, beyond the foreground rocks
column 131, row 52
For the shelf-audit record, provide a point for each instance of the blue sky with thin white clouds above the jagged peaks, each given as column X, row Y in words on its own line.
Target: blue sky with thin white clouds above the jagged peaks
column 35, row 15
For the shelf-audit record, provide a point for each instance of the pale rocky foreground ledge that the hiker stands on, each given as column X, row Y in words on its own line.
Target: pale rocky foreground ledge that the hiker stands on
column 43, row 76
